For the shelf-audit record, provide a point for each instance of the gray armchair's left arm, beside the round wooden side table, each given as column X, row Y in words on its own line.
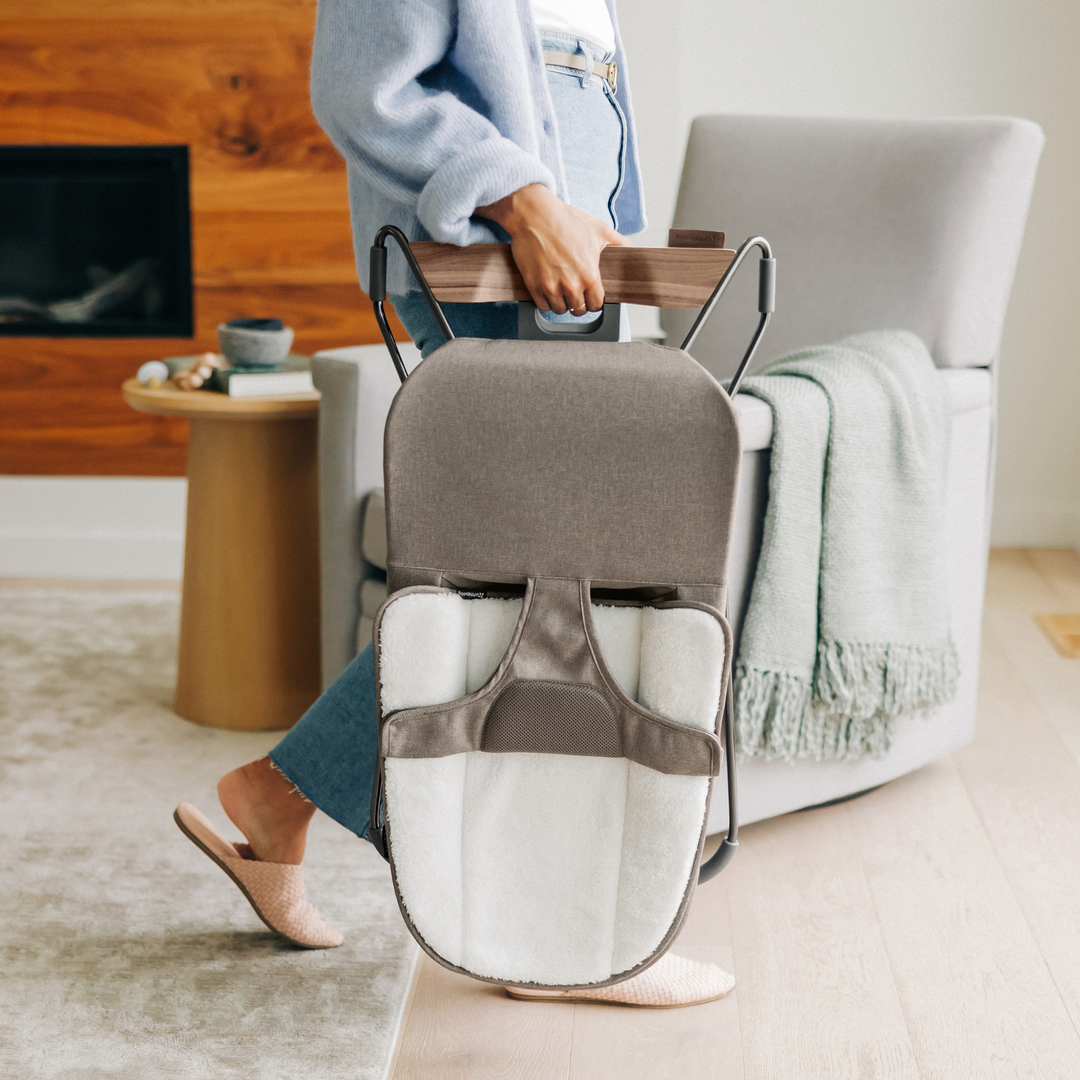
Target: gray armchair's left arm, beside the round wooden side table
column 358, row 386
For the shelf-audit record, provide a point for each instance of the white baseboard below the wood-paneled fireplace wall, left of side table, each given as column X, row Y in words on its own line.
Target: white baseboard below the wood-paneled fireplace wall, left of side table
column 121, row 528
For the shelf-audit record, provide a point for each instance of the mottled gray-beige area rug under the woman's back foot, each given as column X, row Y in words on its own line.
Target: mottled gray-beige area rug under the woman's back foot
column 125, row 953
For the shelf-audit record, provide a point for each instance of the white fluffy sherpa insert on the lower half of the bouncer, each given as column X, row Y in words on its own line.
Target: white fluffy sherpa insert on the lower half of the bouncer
column 543, row 868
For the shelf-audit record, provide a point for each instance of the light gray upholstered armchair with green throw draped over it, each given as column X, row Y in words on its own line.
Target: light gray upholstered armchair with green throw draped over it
column 912, row 225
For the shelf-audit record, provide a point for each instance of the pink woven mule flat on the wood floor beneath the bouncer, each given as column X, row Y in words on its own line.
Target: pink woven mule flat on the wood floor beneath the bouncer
column 671, row 983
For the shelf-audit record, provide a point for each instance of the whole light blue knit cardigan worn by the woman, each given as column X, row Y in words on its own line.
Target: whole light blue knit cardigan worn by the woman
column 439, row 107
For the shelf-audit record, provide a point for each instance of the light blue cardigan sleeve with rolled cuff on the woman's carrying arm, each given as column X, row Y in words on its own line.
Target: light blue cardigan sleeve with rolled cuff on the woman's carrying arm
column 425, row 148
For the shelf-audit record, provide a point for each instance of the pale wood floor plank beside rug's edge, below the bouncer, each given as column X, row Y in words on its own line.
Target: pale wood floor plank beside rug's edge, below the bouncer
column 458, row 1029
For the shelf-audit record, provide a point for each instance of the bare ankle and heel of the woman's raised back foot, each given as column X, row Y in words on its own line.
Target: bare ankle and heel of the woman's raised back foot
column 268, row 809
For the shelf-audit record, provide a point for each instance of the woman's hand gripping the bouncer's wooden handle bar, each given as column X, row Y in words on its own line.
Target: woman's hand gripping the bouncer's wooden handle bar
column 557, row 248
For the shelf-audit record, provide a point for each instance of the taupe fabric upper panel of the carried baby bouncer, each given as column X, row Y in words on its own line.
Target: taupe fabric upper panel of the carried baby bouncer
column 514, row 461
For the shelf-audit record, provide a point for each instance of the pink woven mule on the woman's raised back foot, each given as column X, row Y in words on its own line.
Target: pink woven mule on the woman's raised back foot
column 276, row 890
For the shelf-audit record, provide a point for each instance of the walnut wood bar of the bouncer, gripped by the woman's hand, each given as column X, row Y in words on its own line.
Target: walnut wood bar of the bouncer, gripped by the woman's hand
column 659, row 277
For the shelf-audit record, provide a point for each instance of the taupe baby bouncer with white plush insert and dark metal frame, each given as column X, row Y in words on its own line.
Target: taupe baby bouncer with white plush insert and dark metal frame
column 553, row 660
